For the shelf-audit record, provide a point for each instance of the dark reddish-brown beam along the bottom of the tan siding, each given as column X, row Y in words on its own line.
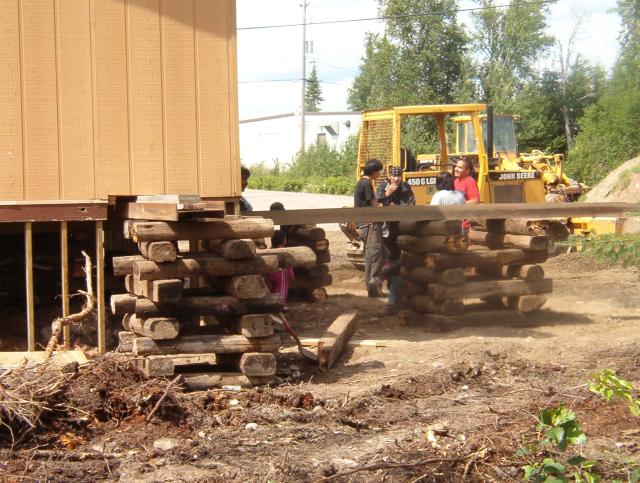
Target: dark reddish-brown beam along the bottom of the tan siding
column 25, row 211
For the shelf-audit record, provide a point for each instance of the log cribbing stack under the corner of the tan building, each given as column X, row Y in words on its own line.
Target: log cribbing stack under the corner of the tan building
column 224, row 320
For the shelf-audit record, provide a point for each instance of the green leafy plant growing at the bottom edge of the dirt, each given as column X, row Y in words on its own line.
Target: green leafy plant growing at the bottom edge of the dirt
column 560, row 430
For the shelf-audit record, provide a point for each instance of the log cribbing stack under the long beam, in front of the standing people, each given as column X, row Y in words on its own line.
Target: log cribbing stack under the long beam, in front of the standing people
column 443, row 268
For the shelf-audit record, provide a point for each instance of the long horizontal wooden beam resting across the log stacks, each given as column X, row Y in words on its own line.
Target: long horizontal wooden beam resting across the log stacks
column 448, row 212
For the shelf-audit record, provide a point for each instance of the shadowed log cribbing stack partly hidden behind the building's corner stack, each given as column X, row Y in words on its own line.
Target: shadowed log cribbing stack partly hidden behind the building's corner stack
column 309, row 282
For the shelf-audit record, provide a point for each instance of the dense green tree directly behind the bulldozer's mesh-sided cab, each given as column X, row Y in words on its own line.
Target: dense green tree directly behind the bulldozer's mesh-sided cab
column 418, row 60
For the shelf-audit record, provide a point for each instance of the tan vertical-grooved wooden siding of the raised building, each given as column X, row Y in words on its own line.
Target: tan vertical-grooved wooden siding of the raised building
column 108, row 97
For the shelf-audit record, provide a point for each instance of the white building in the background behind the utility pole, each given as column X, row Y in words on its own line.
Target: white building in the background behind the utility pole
column 277, row 138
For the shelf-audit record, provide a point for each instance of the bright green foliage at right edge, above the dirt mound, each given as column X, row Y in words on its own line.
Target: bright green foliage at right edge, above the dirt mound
column 608, row 132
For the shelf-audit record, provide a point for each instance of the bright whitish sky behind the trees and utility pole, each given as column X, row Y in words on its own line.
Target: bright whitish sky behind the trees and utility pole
column 276, row 53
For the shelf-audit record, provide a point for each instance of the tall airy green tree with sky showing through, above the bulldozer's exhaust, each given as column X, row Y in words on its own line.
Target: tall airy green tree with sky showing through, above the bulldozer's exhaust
column 507, row 42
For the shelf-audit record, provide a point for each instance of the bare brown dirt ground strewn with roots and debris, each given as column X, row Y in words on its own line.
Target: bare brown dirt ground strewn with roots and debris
column 432, row 404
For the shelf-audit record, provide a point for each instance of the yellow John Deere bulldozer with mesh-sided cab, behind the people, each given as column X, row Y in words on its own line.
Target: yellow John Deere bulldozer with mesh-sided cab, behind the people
column 390, row 135
